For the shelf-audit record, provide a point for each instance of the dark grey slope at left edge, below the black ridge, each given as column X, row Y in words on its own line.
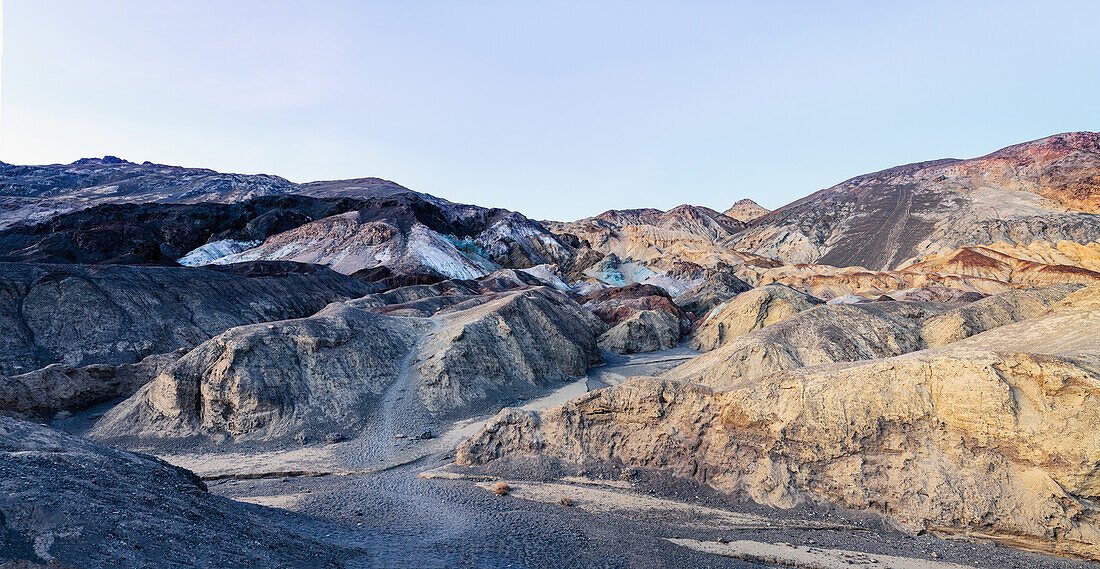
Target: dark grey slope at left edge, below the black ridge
column 114, row 315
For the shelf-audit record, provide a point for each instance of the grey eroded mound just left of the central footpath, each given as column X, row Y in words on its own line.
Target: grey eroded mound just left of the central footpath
column 272, row 379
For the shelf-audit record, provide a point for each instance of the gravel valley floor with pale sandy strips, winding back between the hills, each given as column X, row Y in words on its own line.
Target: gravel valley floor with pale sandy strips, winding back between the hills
column 402, row 502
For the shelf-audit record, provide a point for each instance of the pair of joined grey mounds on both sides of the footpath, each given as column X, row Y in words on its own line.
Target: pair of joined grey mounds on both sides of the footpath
column 333, row 370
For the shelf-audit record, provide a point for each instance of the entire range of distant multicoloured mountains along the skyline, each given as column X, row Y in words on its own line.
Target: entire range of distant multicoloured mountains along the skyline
column 920, row 217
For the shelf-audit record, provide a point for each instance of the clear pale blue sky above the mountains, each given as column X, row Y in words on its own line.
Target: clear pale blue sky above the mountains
column 557, row 110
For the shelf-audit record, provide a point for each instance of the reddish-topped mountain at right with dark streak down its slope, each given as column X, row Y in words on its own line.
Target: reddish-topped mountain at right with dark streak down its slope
column 1042, row 191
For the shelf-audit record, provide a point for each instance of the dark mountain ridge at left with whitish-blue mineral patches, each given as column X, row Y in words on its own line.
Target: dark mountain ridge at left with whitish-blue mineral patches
column 348, row 225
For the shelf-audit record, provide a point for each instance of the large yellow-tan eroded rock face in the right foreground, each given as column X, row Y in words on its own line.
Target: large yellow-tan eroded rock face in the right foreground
column 997, row 435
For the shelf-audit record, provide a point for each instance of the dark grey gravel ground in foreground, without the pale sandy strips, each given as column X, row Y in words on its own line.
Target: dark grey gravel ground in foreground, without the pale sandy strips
column 399, row 520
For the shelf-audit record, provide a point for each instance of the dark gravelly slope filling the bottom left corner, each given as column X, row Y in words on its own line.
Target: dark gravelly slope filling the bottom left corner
column 91, row 507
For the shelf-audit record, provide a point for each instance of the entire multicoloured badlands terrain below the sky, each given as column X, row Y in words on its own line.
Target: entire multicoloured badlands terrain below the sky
column 218, row 370
